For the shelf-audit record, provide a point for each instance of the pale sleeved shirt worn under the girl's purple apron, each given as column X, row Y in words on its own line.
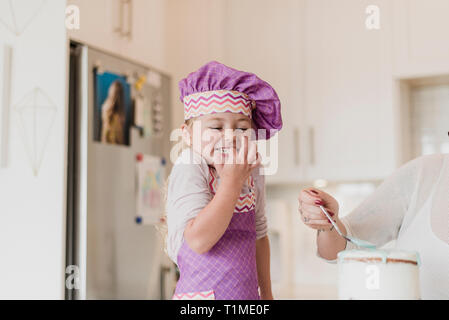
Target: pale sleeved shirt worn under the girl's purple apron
column 188, row 193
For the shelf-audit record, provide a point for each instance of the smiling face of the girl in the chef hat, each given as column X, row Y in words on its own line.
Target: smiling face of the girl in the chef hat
column 217, row 135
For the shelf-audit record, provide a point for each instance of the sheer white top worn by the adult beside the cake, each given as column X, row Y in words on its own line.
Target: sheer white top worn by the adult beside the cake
column 411, row 206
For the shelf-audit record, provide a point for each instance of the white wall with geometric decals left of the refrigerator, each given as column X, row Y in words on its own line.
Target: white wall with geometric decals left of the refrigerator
column 32, row 207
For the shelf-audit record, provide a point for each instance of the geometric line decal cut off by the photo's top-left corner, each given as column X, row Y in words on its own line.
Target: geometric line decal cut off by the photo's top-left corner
column 17, row 15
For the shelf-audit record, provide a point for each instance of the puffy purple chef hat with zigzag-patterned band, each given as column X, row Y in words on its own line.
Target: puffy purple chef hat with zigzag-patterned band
column 215, row 78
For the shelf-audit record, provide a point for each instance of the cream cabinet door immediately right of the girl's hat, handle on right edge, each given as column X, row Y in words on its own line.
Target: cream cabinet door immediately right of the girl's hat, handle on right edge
column 266, row 38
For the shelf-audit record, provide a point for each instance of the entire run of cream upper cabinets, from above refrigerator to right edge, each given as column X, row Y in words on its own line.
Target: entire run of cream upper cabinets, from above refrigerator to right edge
column 341, row 120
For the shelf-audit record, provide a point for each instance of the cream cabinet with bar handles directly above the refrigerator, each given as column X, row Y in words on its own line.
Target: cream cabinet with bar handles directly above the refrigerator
column 133, row 29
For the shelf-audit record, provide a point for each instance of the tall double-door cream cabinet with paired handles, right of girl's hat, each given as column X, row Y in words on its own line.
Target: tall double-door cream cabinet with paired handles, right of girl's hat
column 336, row 89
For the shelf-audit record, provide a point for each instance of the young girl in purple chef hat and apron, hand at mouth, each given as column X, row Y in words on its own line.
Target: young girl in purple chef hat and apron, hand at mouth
column 217, row 233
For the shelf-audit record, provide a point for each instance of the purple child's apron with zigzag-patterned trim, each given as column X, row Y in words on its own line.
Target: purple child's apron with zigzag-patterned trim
column 228, row 270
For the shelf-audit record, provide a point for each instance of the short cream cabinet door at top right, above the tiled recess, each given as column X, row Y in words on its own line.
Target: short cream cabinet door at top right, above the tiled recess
column 421, row 29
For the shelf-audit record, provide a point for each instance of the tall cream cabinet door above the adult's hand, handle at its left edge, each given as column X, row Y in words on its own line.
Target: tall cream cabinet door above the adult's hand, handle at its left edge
column 348, row 87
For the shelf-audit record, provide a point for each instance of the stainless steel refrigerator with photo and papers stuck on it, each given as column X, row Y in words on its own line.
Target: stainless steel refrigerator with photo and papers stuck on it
column 113, row 253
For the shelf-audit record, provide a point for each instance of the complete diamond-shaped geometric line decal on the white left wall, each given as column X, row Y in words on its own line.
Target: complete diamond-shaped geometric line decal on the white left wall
column 36, row 115
